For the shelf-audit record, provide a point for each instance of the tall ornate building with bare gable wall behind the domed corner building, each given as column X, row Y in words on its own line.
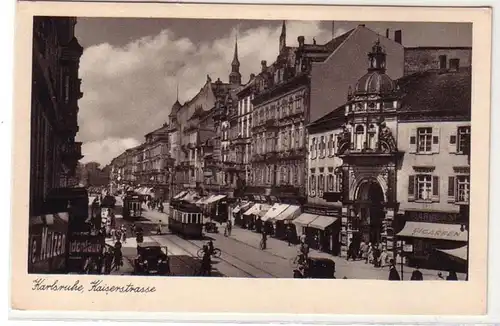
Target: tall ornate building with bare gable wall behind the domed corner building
column 284, row 102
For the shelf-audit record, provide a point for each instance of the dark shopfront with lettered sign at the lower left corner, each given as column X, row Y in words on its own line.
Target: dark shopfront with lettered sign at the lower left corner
column 48, row 244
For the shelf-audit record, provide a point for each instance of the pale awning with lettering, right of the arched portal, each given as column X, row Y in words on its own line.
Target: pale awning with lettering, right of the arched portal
column 438, row 231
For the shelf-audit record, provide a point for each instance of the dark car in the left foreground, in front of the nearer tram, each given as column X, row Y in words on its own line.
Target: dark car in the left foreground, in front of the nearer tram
column 151, row 259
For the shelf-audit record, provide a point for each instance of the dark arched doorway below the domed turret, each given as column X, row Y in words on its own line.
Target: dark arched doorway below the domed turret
column 371, row 211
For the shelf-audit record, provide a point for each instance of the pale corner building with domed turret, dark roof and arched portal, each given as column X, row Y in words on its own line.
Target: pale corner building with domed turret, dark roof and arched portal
column 383, row 155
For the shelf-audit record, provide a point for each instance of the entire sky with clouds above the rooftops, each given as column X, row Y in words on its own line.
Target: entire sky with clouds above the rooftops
column 131, row 68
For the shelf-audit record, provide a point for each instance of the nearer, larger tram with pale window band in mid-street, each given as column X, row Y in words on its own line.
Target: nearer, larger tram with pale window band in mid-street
column 186, row 219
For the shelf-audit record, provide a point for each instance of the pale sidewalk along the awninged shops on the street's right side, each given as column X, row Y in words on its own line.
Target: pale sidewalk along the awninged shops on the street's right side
column 350, row 269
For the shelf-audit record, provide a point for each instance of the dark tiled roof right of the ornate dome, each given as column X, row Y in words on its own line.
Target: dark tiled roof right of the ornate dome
column 448, row 93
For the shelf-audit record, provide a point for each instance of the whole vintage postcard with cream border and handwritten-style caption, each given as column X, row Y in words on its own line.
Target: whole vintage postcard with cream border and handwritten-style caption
column 251, row 159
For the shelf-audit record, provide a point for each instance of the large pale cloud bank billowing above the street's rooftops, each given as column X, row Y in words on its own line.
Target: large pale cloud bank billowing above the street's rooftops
column 128, row 91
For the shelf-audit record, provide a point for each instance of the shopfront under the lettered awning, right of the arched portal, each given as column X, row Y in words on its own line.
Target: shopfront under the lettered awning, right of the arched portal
column 427, row 240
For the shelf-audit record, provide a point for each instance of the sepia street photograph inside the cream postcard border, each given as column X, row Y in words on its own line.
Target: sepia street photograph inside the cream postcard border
column 250, row 148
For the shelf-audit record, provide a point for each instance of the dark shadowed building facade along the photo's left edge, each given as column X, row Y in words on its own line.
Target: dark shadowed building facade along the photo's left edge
column 54, row 108
